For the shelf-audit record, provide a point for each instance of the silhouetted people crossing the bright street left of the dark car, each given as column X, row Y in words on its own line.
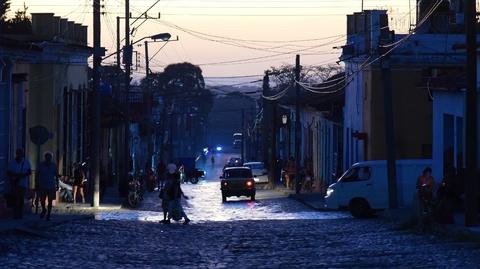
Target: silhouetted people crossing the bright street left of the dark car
column 171, row 194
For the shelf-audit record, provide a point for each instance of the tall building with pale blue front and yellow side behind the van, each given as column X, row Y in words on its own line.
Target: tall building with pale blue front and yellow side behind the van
column 410, row 59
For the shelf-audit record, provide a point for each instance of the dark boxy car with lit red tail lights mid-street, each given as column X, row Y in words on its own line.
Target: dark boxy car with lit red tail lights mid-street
column 237, row 181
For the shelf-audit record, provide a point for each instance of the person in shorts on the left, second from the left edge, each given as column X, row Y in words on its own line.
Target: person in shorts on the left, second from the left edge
column 47, row 176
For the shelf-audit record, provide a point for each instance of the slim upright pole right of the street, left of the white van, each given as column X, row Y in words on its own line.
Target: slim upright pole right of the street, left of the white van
column 298, row 139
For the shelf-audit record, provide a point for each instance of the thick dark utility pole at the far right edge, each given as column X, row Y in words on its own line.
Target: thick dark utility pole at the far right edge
column 471, row 116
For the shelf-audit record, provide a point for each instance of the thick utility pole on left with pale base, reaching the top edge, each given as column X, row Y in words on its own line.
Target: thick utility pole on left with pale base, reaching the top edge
column 95, row 148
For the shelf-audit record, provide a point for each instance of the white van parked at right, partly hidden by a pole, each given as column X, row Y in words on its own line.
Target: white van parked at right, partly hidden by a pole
column 364, row 187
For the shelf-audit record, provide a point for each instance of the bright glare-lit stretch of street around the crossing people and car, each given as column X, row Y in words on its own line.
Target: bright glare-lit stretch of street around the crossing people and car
column 205, row 204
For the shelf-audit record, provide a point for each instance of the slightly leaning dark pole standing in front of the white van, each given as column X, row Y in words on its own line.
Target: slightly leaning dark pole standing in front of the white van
column 389, row 131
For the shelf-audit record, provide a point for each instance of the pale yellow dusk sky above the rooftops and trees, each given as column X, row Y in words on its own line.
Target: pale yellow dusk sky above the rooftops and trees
column 222, row 35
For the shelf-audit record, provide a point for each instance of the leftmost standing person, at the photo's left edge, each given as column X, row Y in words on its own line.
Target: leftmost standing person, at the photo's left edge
column 18, row 172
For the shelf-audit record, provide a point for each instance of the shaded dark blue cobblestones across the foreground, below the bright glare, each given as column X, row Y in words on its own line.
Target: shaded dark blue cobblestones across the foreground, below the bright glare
column 338, row 243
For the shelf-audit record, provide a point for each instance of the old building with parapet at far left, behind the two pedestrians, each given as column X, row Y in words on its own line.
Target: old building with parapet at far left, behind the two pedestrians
column 45, row 83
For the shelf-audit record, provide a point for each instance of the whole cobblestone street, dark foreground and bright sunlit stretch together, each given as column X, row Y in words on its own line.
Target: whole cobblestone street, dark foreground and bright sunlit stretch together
column 272, row 232
